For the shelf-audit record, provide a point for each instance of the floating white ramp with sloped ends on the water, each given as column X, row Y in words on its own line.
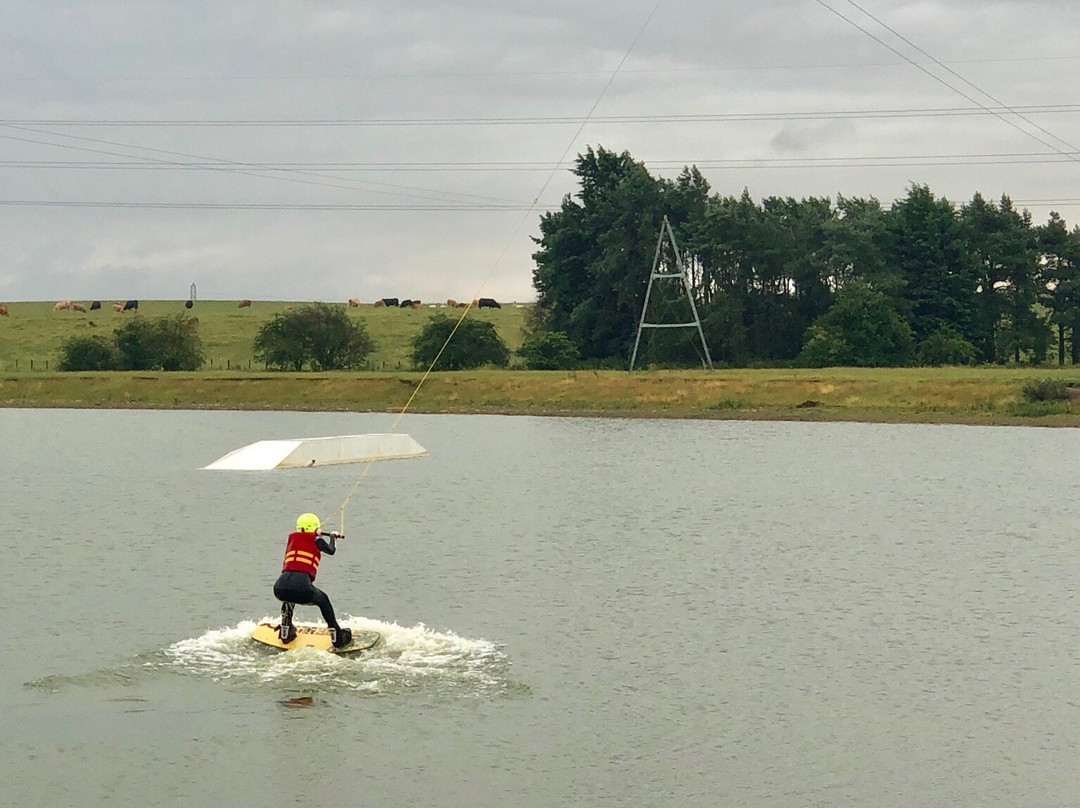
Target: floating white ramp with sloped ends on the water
column 301, row 453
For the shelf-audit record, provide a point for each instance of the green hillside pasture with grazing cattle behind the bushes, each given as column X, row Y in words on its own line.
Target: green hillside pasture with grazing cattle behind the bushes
column 32, row 336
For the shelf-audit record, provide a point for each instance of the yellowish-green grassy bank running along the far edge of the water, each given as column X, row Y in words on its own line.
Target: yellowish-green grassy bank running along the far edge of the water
column 946, row 396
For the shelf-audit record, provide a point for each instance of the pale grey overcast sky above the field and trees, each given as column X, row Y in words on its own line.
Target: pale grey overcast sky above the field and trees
column 326, row 151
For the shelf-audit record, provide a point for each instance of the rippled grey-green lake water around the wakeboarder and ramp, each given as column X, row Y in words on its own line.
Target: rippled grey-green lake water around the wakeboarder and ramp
column 577, row 613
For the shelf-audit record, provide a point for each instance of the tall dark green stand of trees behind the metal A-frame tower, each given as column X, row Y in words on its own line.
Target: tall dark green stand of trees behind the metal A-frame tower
column 811, row 281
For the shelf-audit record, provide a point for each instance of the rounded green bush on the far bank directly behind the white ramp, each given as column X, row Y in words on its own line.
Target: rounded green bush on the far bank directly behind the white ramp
column 325, row 336
